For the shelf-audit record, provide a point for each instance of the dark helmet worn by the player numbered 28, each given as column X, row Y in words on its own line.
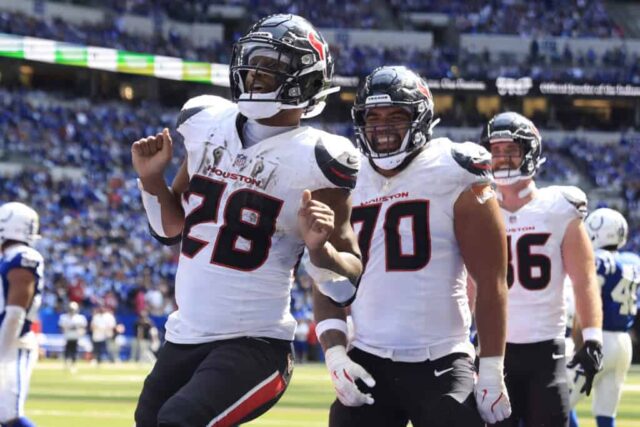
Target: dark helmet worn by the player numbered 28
column 295, row 54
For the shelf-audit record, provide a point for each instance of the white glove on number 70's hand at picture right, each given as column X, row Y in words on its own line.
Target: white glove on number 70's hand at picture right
column 491, row 392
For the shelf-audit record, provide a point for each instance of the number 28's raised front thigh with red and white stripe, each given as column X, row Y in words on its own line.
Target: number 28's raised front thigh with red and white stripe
column 238, row 381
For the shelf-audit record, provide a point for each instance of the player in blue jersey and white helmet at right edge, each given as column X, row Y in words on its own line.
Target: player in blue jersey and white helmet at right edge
column 619, row 277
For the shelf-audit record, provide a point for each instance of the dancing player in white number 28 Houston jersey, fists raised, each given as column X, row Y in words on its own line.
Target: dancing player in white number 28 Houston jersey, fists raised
column 257, row 189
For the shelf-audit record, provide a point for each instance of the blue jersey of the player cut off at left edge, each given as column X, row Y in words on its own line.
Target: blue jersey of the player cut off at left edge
column 21, row 256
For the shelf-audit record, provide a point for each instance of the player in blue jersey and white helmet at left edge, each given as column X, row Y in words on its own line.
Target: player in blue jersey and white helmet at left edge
column 21, row 282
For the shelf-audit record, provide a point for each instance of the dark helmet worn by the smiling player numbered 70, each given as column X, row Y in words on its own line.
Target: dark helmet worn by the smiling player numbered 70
column 394, row 86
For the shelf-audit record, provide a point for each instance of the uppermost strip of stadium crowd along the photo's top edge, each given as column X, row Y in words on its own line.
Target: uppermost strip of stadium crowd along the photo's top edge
column 575, row 18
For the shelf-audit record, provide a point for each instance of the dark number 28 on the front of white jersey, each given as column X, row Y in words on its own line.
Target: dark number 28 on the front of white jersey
column 248, row 215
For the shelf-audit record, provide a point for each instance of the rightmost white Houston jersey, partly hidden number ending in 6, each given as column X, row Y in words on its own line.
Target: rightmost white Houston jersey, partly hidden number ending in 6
column 536, row 274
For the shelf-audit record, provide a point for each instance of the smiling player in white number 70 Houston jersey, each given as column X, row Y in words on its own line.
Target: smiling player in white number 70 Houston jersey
column 423, row 210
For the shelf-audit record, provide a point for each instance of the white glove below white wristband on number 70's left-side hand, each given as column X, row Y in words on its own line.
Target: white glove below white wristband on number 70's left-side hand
column 344, row 373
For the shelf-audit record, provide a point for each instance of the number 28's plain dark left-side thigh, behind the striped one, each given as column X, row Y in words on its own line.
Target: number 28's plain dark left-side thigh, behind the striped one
column 173, row 369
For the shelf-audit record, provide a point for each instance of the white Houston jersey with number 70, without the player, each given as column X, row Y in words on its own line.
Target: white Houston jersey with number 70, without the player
column 411, row 303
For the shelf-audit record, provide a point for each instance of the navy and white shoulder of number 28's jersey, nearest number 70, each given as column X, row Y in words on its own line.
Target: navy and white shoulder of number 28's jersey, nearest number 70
column 338, row 160
